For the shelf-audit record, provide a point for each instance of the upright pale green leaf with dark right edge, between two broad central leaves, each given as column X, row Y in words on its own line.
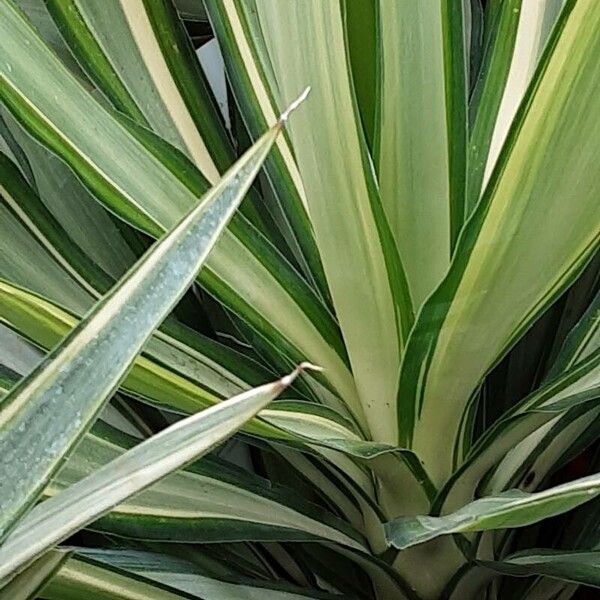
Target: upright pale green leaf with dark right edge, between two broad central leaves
column 420, row 141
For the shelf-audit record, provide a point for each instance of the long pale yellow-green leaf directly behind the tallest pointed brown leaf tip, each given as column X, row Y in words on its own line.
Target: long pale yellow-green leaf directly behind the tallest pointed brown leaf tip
column 352, row 230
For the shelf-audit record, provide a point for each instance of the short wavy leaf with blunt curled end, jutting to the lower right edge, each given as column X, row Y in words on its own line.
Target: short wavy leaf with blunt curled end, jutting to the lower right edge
column 513, row 508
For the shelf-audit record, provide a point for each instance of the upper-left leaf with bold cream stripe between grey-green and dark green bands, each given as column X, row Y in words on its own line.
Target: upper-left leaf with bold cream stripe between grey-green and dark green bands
column 164, row 90
